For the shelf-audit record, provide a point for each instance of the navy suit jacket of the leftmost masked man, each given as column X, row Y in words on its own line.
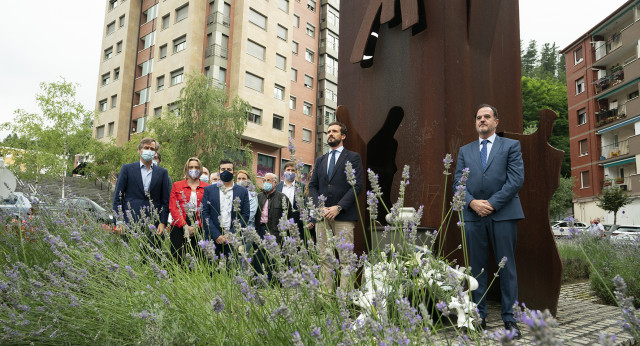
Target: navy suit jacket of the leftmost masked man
column 129, row 192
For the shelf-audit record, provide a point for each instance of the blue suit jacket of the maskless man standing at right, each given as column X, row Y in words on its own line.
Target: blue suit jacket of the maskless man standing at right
column 498, row 183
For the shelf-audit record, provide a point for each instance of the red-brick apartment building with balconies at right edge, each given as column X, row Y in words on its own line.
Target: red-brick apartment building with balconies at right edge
column 603, row 76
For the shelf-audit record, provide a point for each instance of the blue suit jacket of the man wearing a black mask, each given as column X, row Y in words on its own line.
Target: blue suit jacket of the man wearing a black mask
column 211, row 210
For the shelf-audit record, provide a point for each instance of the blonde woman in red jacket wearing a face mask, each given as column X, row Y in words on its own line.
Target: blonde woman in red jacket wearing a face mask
column 184, row 205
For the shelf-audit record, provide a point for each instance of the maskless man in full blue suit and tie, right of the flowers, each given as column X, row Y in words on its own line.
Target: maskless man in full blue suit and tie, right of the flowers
column 492, row 209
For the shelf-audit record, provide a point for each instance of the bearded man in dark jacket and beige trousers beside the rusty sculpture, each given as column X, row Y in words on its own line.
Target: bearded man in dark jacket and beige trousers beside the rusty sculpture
column 329, row 179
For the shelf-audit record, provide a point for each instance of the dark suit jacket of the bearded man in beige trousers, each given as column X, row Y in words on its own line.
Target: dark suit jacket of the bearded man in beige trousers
column 335, row 188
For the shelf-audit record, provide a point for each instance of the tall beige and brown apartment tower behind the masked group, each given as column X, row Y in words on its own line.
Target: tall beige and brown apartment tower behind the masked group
column 279, row 55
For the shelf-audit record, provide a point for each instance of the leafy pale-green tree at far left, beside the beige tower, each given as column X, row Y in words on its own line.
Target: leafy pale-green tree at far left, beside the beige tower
column 62, row 129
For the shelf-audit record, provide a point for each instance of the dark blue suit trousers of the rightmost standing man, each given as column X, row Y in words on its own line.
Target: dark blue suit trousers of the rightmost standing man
column 502, row 237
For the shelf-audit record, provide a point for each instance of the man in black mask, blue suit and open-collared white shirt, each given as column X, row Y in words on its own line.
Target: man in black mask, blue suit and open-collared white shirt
column 217, row 207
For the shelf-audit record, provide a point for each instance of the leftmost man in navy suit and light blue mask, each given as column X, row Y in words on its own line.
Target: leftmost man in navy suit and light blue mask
column 143, row 186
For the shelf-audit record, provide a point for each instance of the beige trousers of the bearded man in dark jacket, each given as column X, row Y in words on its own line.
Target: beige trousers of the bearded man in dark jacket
column 337, row 229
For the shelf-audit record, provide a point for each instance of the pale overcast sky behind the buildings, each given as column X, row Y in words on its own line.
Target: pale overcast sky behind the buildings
column 43, row 41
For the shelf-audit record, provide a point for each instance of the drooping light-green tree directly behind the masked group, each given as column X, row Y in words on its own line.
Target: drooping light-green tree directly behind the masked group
column 207, row 124
